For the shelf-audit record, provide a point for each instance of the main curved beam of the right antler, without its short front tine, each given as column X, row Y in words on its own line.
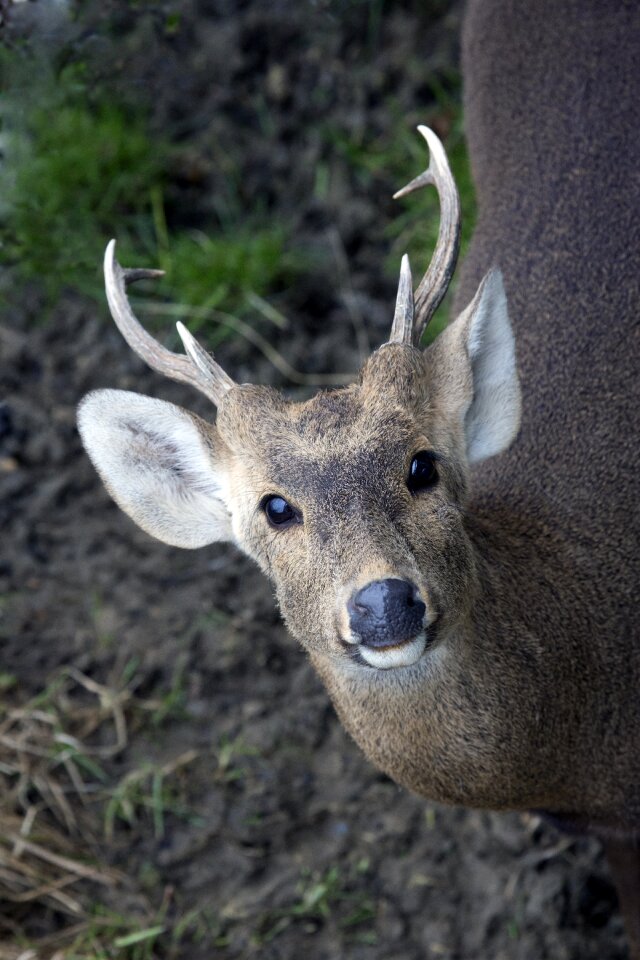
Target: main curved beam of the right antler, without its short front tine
column 435, row 282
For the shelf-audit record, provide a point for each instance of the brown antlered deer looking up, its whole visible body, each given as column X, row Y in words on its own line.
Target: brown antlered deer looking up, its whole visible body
column 452, row 537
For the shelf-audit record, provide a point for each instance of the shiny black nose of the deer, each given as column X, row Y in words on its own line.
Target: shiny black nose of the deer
column 386, row 612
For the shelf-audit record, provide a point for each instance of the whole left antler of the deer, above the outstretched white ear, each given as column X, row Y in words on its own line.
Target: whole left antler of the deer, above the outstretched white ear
column 198, row 369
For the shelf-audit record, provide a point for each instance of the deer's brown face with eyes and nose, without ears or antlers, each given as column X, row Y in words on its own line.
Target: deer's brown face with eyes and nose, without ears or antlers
column 361, row 552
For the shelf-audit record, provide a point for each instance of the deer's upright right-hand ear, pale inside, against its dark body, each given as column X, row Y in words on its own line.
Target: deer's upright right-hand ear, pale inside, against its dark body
column 472, row 367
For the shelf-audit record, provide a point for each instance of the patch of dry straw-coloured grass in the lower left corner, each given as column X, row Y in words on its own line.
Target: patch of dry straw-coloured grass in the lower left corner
column 53, row 792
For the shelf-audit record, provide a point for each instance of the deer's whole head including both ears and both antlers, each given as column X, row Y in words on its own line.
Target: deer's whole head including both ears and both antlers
column 352, row 502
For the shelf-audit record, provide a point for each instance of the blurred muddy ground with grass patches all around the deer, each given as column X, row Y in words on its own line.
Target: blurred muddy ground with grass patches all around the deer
column 173, row 780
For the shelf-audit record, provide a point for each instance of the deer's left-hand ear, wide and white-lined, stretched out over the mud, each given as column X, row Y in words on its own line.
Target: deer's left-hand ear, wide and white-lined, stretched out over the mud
column 162, row 465
